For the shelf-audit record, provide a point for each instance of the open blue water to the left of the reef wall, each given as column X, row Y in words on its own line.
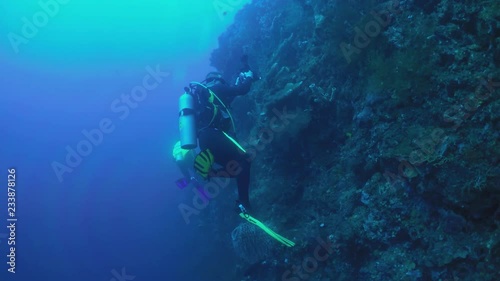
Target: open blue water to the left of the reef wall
column 116, row 209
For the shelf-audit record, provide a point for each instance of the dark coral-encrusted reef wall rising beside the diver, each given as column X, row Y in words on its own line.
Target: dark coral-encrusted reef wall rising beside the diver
column 374, row 128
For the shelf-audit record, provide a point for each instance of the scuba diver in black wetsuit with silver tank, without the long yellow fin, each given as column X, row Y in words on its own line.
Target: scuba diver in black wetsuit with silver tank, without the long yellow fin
column 205, row 119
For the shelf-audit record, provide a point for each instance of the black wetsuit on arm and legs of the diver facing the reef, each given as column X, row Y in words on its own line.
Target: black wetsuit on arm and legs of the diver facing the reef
column 223, row 149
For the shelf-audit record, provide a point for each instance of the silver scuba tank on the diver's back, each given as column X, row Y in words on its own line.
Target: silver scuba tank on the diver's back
column 187, row 121
